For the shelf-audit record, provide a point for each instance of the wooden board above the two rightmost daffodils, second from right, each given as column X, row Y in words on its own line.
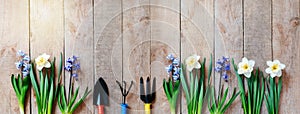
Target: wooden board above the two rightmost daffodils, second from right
column 257, row 33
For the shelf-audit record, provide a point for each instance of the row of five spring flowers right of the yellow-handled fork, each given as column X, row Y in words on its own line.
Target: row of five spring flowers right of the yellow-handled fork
column 198, row 87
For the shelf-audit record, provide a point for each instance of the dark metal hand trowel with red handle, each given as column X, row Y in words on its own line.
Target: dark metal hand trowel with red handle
column 100, row 97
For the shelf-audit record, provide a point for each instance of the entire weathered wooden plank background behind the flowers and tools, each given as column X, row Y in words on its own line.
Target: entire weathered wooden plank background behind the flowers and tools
column 128, row 39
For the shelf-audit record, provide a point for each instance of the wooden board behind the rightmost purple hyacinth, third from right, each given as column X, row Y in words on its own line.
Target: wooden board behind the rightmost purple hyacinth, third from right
column 229, row 40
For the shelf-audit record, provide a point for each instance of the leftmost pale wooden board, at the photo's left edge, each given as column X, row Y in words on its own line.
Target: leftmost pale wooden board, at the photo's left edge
column 14, row 36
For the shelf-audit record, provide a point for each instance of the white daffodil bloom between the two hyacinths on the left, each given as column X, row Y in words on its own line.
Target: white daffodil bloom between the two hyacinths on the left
column 42, row 61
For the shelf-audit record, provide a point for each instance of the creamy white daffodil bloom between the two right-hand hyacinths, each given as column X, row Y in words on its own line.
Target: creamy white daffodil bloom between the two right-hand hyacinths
column 193, row 62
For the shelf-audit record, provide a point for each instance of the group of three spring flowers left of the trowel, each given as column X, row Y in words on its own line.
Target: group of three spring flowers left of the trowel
column 46, row 88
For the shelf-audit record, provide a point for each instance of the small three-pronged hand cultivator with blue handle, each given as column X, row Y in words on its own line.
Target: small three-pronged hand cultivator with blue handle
column 124, row 106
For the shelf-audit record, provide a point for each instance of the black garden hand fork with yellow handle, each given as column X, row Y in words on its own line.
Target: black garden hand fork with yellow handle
column 149, row 96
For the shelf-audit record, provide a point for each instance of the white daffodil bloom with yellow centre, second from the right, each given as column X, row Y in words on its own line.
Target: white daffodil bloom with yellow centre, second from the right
column 246, row 67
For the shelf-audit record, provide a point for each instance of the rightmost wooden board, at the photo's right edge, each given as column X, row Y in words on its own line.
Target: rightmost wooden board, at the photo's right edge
column 286, row 33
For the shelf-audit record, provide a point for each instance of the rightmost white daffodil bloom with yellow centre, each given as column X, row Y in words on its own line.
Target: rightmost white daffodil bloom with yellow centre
column 275, row 68
